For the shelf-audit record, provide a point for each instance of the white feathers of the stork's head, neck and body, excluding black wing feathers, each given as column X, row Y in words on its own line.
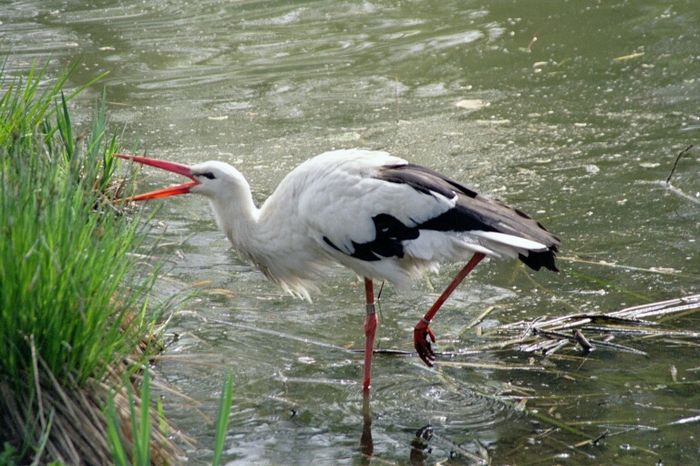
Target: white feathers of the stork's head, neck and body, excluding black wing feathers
column 335, row 195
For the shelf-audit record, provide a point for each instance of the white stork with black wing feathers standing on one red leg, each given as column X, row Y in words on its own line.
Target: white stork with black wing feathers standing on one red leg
column 374, row 213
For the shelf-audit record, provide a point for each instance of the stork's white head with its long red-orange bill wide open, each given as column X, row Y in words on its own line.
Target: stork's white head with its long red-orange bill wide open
column 212, row 179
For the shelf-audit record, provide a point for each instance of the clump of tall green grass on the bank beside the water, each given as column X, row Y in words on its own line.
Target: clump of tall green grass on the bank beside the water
column 67, row 334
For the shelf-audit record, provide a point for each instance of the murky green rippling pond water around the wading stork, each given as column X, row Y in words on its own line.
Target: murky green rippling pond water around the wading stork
column 573, row 111
